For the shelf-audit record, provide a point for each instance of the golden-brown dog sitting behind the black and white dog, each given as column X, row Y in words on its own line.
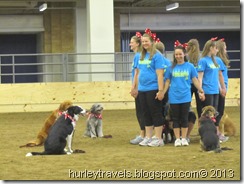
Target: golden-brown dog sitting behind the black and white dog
column 42, row 135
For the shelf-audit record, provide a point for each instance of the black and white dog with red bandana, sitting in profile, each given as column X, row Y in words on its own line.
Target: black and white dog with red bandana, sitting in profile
column 56, row 139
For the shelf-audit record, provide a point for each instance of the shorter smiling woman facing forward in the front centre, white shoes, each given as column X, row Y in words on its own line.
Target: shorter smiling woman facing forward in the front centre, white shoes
column 178, row 80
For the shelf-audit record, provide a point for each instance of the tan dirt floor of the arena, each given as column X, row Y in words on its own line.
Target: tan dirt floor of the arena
column 113, row 159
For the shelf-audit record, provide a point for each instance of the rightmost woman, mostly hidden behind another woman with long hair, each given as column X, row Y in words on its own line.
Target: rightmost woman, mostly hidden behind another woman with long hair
column 222, row 54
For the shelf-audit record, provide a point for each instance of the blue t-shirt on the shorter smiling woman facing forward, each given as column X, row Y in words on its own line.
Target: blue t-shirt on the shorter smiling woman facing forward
column 180, row 82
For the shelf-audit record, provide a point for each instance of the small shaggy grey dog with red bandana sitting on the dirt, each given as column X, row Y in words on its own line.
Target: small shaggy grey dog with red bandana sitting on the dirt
column 94, row 124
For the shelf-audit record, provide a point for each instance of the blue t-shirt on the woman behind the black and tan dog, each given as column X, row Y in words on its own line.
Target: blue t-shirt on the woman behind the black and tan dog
column 210, row 81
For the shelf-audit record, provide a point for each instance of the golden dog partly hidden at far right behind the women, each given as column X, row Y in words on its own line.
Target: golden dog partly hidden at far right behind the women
column 227, row 126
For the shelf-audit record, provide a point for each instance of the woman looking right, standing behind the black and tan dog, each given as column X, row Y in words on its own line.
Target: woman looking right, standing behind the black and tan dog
column 210, row 76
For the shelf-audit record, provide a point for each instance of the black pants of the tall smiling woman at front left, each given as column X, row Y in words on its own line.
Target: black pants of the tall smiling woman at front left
column 151, row 108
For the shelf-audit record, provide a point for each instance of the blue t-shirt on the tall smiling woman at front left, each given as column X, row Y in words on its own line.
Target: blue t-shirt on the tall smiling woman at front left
column 147, row 78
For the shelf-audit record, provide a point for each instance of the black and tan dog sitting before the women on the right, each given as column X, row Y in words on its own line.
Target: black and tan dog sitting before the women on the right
column 208, row 131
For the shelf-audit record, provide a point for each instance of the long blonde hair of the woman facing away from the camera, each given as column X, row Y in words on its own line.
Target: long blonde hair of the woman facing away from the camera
column 193, row 51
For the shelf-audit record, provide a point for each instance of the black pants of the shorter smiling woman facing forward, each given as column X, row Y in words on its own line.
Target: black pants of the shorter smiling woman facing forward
column 180, row 114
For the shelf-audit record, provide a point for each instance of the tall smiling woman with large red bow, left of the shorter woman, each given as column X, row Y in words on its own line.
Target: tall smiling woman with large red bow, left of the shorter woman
column 150, row 87
